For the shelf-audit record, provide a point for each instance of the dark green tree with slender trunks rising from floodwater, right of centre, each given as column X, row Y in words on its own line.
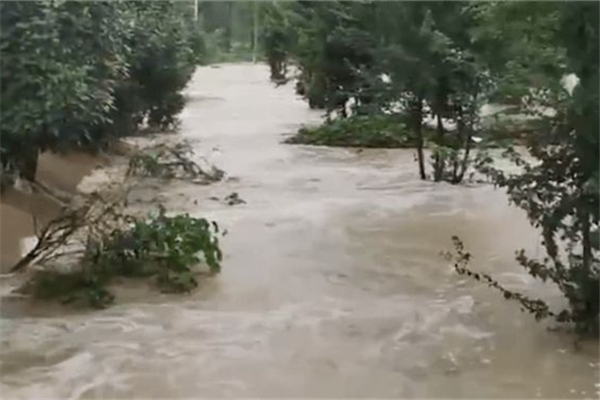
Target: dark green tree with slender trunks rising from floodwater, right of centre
column 427, row 52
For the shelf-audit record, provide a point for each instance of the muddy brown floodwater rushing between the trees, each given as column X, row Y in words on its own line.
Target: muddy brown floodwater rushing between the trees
column 332, row 283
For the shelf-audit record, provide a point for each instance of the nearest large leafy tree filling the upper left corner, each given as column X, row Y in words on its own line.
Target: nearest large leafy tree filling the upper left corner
column 55, row 90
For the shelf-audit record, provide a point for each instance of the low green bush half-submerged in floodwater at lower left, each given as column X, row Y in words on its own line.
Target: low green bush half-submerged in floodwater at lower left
column 160, row 246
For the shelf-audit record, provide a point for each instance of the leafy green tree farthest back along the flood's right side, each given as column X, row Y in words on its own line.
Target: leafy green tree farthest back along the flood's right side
column 331, row 46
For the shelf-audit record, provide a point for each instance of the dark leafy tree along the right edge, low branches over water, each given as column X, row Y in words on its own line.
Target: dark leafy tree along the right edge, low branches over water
column 560, row 191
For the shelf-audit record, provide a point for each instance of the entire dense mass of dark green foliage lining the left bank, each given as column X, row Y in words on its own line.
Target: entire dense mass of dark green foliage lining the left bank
column 76, row 74
